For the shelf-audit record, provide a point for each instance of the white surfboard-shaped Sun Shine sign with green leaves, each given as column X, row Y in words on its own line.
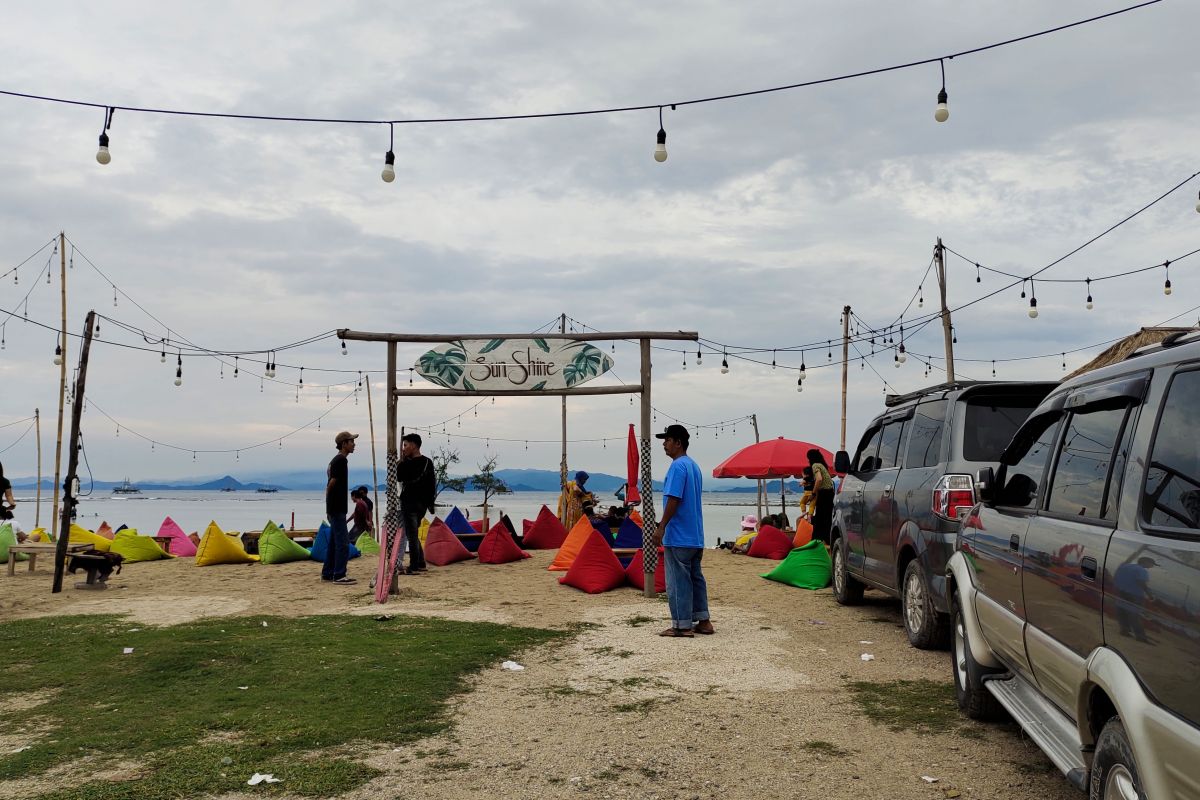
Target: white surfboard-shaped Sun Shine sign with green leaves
column 518, row 364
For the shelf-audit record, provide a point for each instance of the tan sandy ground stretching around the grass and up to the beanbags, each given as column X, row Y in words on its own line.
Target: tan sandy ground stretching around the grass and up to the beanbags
column 620, row 712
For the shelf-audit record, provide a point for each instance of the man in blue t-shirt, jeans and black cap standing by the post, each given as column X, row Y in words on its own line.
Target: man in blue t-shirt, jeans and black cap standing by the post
column 682, row 536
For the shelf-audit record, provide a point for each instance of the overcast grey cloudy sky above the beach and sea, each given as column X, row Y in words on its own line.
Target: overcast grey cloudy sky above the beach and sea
column 771, row 214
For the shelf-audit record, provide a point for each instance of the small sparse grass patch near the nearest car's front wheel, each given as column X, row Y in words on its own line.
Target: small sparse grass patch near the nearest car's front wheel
column 916, row 706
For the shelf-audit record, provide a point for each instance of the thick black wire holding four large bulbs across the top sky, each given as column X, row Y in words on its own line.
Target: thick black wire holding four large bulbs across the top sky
column 713, row 99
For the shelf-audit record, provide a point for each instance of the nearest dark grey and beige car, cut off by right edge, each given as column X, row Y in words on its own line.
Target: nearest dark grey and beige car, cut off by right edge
column 1076, row 582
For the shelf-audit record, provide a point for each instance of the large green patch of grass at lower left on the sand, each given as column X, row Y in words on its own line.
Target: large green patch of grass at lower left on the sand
column 316, row 684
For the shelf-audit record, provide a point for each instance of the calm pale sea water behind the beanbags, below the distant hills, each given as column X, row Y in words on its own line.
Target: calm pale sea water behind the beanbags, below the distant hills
column 251, row 510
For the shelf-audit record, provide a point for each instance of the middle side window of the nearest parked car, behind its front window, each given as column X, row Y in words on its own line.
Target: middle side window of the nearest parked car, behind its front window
column 1082, row 470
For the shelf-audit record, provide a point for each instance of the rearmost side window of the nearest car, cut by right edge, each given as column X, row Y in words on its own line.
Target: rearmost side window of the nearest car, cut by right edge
column 1172, row 498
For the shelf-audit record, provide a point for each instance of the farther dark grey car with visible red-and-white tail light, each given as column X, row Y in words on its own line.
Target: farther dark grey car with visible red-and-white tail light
column 898, row 509
